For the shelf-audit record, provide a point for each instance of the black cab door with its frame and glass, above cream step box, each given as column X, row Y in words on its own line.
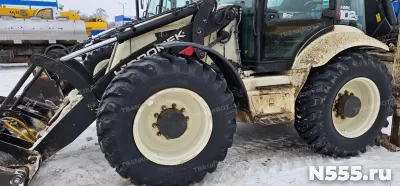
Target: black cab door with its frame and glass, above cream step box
column 284, row 27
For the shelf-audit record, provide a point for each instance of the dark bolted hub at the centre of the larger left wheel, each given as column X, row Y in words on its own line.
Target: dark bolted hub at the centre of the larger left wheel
column 172, row 123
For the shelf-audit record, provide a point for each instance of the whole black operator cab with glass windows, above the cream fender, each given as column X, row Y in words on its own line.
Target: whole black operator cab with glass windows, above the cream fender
column 277, row 30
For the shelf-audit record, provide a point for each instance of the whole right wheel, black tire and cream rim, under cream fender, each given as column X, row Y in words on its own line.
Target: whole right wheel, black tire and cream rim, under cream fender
column 345, row 104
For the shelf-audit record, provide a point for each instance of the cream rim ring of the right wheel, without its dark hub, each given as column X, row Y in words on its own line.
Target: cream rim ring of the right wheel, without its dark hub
column 368, row 93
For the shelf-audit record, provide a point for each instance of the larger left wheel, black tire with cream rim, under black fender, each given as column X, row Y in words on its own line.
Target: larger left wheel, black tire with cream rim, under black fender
column 166, row 120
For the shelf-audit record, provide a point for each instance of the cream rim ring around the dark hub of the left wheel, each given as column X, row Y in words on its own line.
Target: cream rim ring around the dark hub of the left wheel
column 161, row 150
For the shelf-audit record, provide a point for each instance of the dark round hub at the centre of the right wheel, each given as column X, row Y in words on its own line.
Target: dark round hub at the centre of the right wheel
column 348, row 105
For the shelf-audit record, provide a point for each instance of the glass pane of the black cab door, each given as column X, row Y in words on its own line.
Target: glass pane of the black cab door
column 298, row 19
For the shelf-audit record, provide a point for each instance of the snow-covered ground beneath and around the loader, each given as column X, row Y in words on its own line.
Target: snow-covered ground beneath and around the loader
column 260, row 156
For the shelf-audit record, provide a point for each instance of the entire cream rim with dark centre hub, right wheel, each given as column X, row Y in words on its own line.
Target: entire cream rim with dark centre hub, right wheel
column 348, row 117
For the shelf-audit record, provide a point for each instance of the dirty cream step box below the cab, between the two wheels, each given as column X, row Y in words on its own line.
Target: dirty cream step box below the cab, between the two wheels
column 271, row 100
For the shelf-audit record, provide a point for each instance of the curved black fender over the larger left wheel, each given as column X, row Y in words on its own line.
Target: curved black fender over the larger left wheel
column 231, row 76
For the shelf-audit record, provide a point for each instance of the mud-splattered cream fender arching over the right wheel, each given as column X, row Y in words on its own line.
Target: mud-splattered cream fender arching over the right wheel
column 322, row 50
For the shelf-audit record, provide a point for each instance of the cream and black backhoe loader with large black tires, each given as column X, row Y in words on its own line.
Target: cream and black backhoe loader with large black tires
column 167, row 102
